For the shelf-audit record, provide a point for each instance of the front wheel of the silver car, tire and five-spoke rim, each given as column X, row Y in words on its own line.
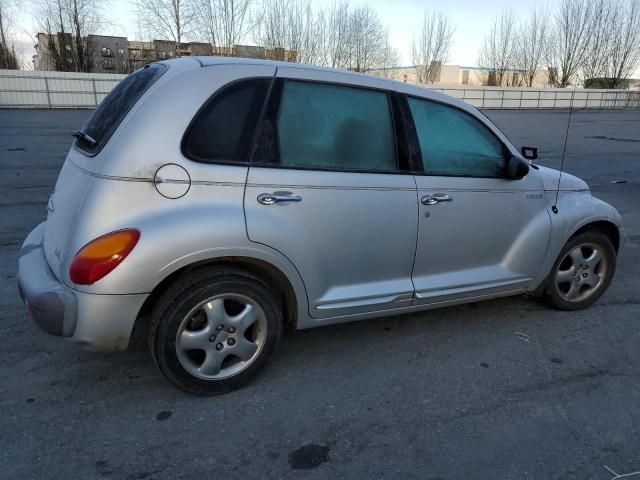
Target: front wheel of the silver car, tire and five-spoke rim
column 578, row 278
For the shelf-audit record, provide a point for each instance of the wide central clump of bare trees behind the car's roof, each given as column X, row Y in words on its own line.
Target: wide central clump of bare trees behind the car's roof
column 341, row 36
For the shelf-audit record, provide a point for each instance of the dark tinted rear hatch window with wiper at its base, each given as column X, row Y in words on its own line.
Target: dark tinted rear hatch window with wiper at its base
column 115, row 106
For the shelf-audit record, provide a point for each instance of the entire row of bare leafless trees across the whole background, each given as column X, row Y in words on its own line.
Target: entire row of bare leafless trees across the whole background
column 578, row 40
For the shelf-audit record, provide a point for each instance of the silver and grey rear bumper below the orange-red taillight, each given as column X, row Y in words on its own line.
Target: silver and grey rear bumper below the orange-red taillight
column 95, row 322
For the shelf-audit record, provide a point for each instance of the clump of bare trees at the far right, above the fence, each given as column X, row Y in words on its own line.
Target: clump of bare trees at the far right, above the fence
column 592, row 41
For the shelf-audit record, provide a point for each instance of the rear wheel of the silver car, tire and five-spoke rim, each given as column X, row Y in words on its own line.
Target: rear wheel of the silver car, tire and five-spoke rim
column 213, row 330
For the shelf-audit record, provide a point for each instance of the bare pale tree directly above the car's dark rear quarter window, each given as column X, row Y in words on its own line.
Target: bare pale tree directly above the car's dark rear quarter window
column 223, row 23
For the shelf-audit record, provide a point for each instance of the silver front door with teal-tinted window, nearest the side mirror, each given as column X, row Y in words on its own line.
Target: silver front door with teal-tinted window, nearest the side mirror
column 480, row 234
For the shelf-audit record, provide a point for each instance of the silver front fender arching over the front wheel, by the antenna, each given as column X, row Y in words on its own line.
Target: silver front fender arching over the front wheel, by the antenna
column 575, row 211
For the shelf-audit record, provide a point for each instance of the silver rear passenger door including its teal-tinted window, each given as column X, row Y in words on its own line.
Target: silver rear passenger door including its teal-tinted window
column 328, row 189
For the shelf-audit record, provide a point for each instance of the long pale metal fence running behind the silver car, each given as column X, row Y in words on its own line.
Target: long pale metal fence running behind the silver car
column 30, row 89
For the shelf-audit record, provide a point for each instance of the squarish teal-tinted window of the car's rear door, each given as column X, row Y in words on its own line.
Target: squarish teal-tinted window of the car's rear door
column 335, row 127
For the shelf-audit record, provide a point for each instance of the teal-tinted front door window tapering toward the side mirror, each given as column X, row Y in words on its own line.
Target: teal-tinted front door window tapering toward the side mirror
column 453, row 142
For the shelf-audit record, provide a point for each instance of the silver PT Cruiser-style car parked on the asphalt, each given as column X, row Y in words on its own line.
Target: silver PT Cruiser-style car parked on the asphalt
column 214, row 202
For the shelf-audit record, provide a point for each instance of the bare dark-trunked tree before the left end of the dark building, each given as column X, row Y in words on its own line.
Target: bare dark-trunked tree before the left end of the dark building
column 66, row 25
